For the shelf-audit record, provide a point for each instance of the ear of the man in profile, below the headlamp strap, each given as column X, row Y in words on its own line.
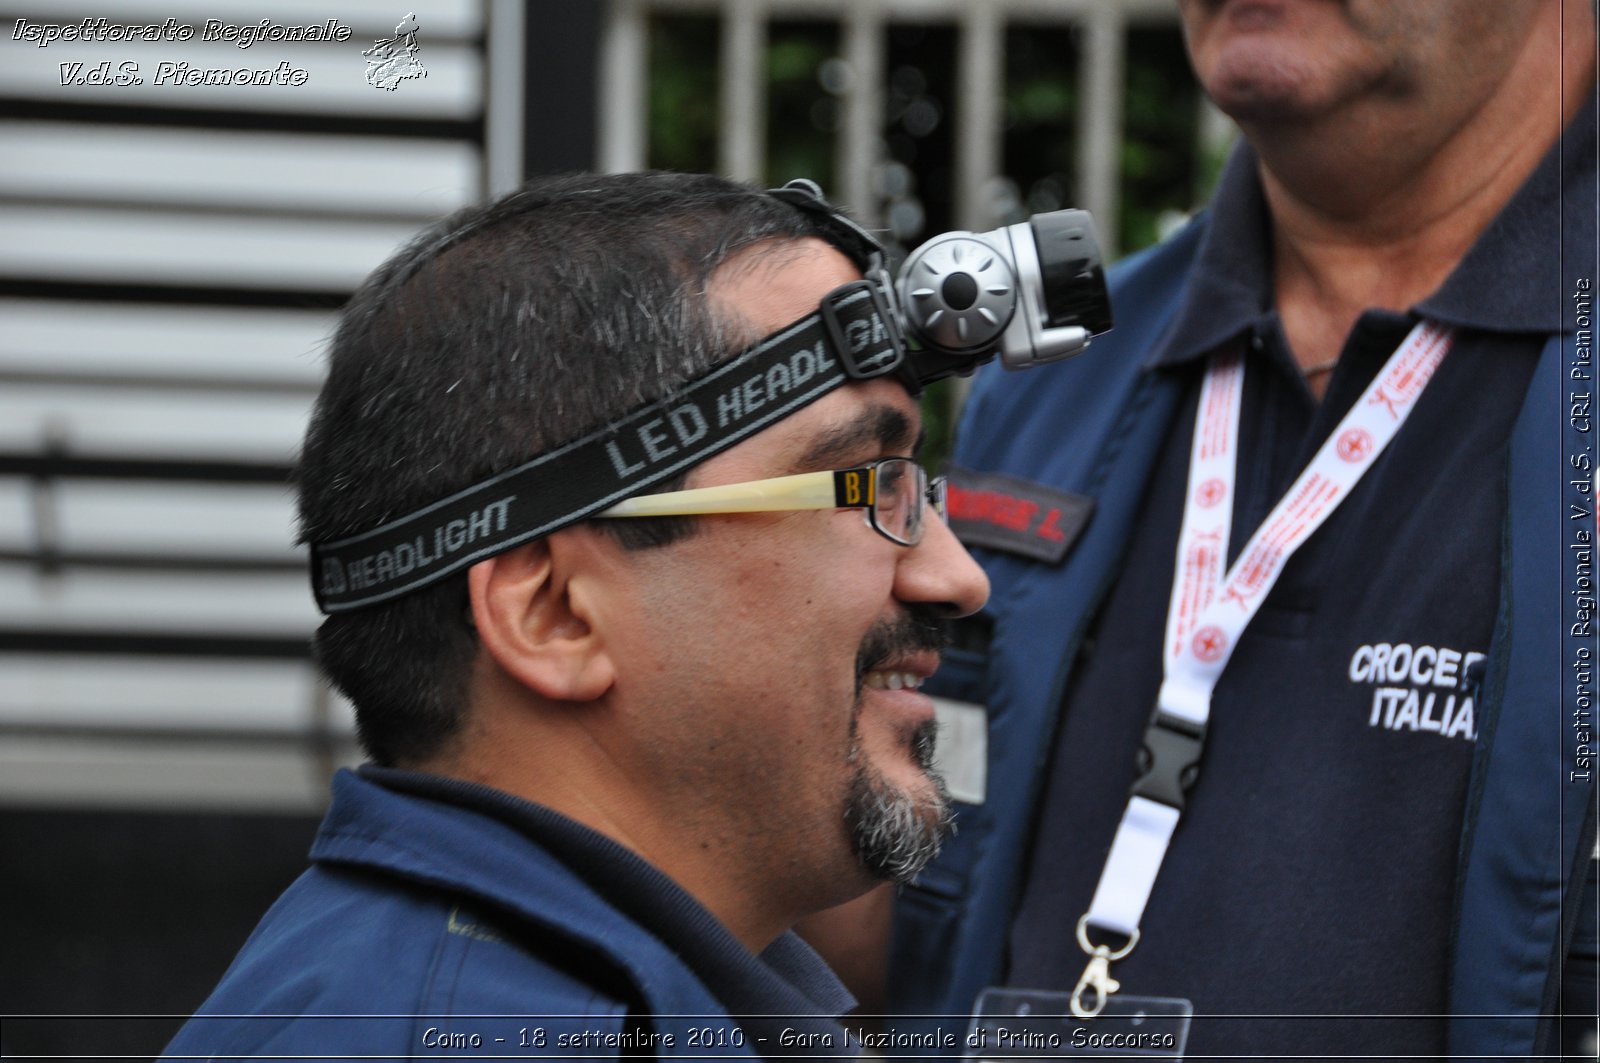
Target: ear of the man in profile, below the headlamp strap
column 535, row 627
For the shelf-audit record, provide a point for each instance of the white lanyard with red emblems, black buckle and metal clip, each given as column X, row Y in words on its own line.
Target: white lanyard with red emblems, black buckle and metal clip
column 1210, row 611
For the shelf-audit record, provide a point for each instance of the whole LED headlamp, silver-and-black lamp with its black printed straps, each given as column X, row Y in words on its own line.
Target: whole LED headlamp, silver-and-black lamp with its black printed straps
column 1030, row 294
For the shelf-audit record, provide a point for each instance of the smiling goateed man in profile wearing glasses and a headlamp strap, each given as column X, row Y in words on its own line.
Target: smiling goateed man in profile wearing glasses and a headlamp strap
column 617, row 750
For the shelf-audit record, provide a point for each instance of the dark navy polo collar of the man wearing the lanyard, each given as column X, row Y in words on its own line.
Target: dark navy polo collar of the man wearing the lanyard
column 1503, row 284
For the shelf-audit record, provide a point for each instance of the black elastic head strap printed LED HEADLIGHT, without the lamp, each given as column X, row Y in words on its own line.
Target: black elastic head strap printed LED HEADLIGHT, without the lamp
column 852, row 337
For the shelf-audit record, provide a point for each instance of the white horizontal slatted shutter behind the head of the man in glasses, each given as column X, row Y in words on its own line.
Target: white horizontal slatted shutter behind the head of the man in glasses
column 170, row 263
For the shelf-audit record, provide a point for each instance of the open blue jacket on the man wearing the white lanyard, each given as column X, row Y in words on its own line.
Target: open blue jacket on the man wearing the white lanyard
column 1095, row 427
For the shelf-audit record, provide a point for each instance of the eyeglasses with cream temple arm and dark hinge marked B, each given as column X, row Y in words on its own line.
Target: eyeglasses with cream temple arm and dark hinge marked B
column 895, row 492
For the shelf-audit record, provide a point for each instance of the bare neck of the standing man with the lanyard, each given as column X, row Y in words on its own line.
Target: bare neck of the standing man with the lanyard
column 1369, row 214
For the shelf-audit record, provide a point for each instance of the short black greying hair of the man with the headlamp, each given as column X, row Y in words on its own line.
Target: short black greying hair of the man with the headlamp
column 497, row 335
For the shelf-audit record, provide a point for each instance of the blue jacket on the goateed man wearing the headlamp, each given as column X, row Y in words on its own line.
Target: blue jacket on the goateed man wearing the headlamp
column 426, row 928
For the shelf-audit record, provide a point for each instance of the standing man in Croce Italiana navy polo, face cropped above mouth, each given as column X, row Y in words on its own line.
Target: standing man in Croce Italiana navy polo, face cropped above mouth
column 1300, row 729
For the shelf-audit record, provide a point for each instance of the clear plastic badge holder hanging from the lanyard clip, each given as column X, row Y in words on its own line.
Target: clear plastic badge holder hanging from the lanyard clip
column 1036, row 1024
